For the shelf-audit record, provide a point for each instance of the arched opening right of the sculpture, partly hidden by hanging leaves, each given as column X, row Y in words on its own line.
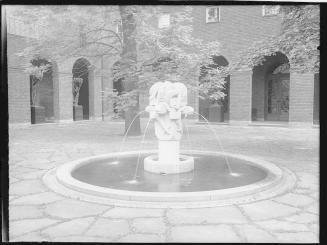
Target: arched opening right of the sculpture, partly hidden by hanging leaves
column 206, row 107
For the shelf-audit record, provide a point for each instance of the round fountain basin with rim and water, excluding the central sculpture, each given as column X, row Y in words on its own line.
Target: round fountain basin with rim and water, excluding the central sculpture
column 116, row 178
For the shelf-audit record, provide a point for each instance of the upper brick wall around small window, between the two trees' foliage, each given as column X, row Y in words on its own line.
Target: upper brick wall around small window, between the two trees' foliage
column 239, row 26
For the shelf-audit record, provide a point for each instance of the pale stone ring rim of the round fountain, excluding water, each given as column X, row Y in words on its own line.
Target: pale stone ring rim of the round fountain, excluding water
column 277, row 181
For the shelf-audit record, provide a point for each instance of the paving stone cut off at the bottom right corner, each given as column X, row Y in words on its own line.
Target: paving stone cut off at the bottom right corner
column 298, row 237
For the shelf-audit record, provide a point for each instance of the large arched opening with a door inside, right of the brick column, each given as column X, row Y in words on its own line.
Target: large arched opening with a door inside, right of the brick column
column 270, row 89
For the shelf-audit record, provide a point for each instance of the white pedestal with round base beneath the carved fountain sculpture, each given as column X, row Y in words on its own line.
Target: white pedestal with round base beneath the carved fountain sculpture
column 168, row 161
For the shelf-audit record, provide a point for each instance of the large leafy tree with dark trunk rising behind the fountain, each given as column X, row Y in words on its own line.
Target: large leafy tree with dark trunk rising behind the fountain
column 147, row 53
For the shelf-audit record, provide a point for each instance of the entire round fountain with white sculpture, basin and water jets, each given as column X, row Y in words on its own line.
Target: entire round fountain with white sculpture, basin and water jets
column 169, row 177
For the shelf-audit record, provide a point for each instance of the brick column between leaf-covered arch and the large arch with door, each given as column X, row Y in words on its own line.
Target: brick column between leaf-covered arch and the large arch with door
column 240, row 97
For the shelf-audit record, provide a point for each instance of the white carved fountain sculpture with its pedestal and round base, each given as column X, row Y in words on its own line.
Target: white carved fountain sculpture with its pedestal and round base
column 167, row 104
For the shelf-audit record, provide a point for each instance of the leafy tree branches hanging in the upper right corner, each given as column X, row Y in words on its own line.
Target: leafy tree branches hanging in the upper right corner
column 299, row 39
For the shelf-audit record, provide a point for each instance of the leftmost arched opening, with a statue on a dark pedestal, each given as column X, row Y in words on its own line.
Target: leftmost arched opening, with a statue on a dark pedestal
column 42, row 93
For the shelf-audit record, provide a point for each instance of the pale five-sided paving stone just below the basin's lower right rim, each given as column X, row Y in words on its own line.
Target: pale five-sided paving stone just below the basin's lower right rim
column 267, row 209
